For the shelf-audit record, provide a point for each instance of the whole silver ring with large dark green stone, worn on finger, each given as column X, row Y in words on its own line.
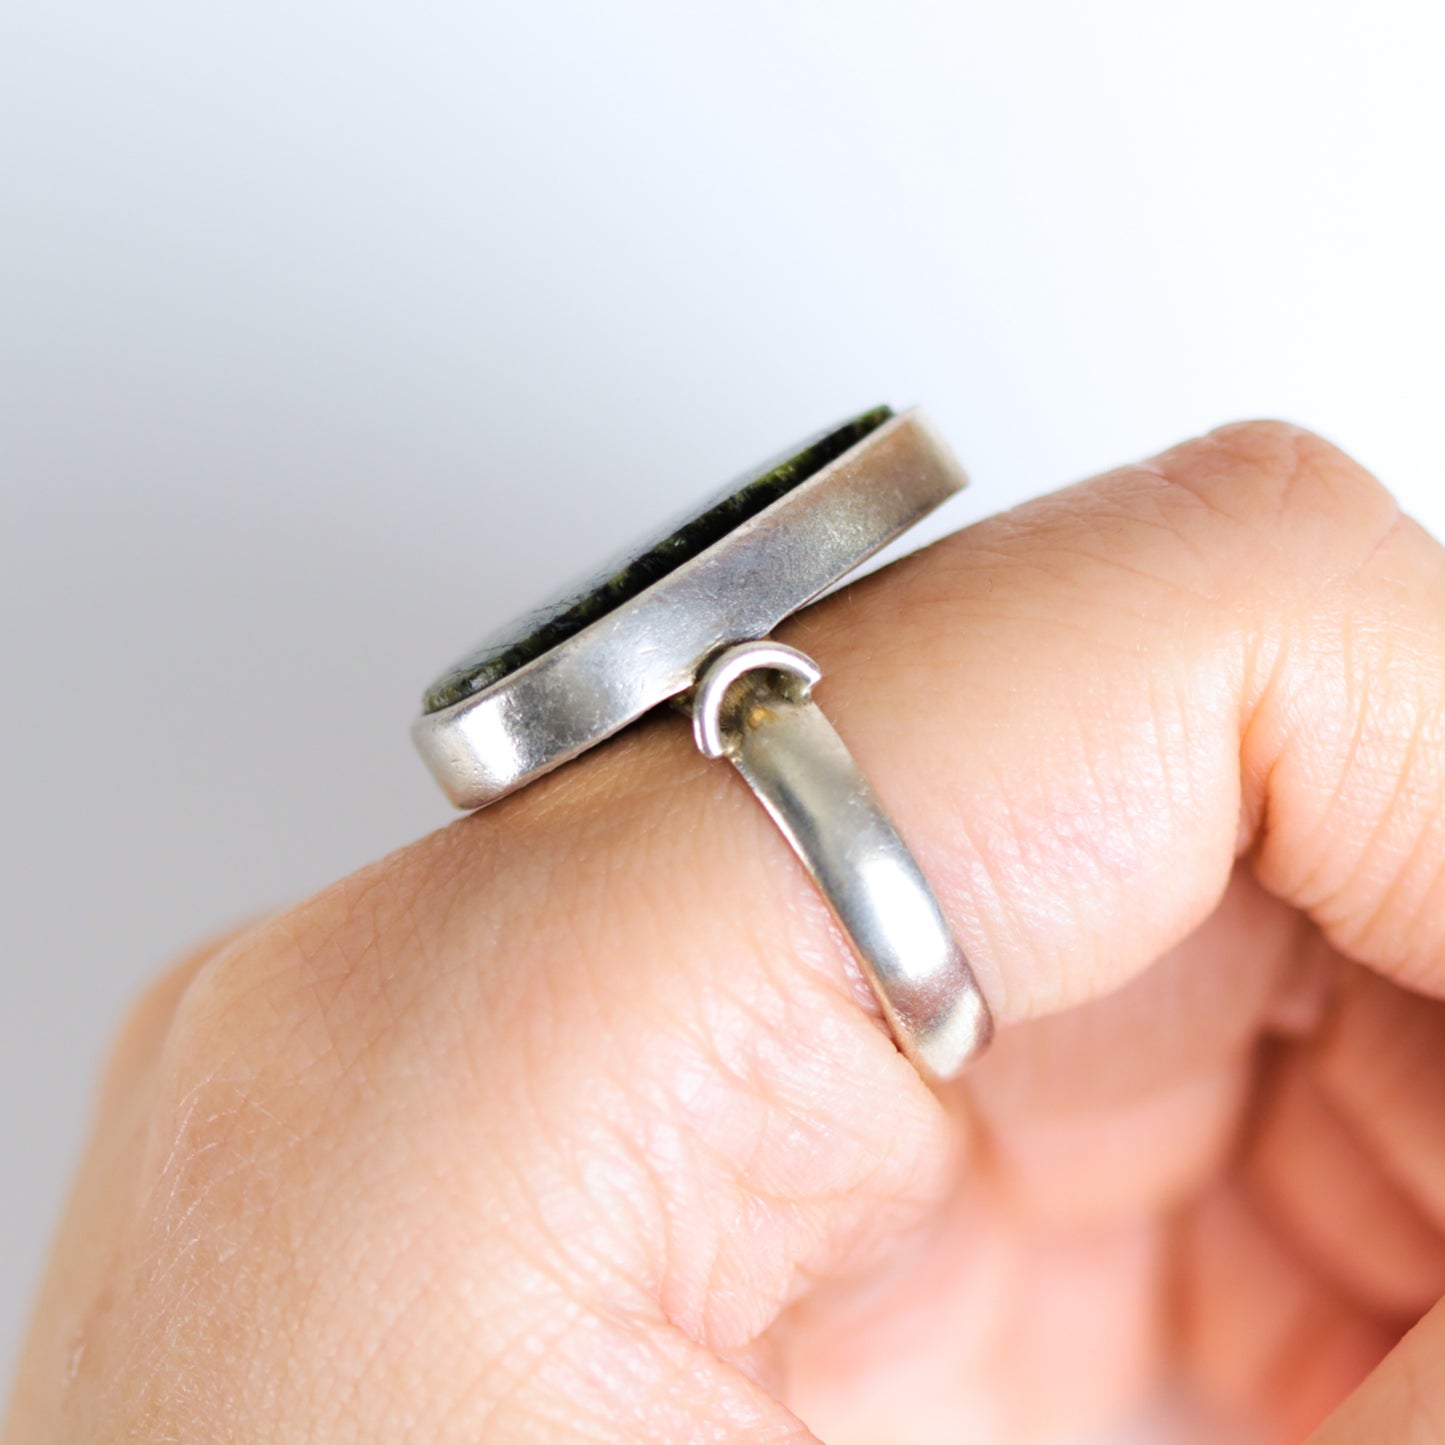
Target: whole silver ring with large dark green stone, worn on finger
column 684, row 618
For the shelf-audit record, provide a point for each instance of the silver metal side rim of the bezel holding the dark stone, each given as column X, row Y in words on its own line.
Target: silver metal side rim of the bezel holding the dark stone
column 650, row 650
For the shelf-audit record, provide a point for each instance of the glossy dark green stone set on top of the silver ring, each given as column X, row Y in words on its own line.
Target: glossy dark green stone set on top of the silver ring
column 585, row 602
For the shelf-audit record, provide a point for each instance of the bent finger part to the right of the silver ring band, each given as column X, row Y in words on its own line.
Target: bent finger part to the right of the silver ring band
column 1235, row 647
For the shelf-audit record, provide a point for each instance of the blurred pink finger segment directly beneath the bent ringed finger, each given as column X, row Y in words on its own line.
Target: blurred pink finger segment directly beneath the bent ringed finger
column 1122, row 1108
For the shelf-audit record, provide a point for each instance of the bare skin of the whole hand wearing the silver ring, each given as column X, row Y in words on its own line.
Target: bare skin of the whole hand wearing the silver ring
column 574, row 1122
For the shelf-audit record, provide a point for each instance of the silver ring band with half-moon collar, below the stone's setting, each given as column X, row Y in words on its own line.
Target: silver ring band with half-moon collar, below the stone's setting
column 752, row 704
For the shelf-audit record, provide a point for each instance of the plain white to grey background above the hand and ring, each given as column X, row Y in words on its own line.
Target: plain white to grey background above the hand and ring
column 332, row 333
